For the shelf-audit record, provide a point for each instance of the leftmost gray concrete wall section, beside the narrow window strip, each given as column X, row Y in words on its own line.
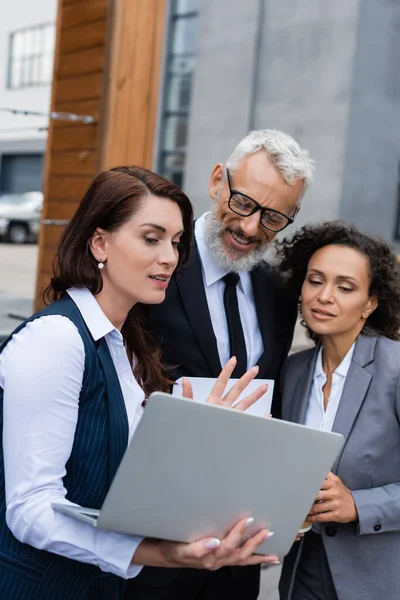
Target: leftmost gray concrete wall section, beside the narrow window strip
column 221, row 94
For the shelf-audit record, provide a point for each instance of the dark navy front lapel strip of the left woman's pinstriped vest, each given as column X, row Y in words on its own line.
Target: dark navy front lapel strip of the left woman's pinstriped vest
column 117, row 417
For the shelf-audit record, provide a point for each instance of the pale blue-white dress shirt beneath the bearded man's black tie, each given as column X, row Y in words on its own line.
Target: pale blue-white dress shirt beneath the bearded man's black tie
column 214, row 288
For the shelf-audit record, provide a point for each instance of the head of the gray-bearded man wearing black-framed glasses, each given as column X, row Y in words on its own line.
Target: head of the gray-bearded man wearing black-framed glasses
column 273, row 173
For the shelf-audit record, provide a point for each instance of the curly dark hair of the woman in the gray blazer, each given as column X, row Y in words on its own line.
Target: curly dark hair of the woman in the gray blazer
column 295, row 253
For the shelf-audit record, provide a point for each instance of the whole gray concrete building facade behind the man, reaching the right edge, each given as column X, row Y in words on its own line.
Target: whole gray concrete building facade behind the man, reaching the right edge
column 325, row 72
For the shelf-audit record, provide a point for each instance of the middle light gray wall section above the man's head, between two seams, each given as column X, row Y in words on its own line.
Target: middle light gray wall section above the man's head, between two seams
column 304, row 83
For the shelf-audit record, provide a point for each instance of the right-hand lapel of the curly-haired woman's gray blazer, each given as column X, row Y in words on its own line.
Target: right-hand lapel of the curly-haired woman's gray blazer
column 355, row 389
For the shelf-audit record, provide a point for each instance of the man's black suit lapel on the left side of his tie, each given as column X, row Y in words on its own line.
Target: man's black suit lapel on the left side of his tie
column 193, row 296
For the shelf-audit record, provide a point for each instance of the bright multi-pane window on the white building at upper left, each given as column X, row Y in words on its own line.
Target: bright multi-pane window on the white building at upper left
column 31, row 56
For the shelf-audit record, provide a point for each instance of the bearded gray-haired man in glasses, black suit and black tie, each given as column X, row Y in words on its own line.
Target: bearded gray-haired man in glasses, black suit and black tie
column 230, row 302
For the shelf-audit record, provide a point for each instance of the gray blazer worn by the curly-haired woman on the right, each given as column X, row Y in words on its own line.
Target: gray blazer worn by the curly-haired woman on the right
column 364, row 557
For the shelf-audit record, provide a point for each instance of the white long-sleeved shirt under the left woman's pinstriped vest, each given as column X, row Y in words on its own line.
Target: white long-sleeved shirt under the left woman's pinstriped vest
column 41, row 372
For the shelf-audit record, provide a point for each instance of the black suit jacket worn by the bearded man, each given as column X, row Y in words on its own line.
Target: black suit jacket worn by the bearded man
column 182, row 324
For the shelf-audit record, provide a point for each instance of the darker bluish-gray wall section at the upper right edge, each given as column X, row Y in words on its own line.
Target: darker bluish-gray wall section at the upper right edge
column 369, row 196
